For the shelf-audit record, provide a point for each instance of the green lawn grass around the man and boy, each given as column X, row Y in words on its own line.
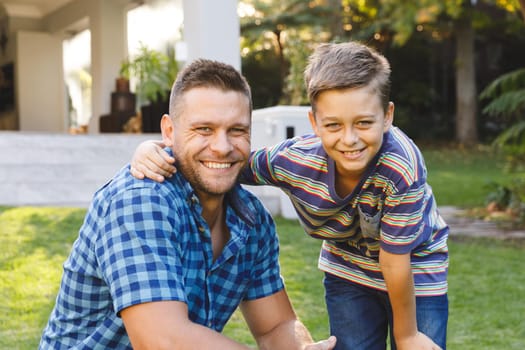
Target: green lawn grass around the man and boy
column 487, row 282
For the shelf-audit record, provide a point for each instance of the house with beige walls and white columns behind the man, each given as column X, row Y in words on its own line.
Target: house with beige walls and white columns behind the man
column 33, row 94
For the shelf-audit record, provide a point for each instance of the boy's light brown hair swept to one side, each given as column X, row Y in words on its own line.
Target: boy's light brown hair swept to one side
column 345, row 66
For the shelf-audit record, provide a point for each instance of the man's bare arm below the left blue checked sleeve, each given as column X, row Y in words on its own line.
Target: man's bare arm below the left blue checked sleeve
column 165, row 325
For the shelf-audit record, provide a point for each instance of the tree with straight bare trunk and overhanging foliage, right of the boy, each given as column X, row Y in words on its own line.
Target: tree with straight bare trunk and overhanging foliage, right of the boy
column 398, row 20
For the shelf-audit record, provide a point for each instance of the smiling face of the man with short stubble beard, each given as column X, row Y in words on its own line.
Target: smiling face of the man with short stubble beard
column 210, row 138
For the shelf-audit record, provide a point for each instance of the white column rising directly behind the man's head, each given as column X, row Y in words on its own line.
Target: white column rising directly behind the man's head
column 212, row 30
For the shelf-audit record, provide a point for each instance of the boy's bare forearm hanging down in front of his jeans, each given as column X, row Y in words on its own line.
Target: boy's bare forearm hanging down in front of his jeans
column 397, row 272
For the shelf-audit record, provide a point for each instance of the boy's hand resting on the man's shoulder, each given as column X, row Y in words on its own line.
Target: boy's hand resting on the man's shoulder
column 151, row 161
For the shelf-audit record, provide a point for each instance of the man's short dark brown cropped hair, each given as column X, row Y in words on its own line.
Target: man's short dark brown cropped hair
column 208, row 74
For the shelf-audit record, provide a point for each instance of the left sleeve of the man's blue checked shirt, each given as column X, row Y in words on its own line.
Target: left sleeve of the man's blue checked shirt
column 138, row 260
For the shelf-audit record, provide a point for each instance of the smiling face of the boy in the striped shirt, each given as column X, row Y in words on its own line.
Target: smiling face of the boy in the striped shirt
column 350, row 124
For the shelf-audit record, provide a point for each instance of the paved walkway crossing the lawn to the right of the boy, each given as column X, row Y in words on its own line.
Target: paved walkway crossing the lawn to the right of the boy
column 462, row 225
